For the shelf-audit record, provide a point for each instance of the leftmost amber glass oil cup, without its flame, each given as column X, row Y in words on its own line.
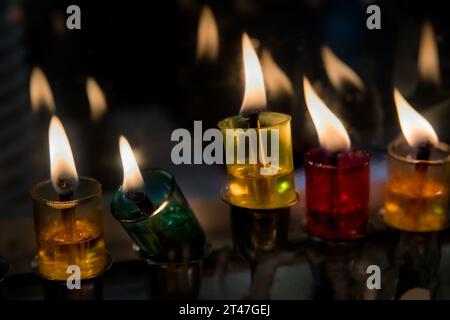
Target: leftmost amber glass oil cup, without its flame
column 69, row 233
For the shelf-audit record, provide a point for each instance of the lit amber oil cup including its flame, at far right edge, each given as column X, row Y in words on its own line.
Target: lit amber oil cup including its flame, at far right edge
column 414, row 200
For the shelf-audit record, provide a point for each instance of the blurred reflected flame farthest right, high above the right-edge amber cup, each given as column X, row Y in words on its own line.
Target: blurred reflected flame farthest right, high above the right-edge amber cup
column 428, row 63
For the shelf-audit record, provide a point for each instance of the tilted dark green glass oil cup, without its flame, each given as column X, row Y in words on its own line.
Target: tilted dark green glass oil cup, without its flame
column 171, row 233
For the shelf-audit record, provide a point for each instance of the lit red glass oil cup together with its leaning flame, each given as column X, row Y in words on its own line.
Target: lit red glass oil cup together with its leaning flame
column 337, row 198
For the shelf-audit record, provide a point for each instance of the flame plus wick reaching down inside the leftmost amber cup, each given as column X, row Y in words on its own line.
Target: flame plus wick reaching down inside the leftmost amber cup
column 63, row 172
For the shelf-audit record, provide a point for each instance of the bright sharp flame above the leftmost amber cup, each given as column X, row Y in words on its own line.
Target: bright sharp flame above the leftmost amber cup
column 63, row 172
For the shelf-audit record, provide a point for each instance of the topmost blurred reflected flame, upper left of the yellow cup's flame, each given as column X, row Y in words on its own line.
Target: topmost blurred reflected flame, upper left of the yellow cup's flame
column 207, row 36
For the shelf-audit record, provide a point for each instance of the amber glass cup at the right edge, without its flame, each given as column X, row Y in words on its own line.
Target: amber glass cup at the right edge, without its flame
column 416, row 196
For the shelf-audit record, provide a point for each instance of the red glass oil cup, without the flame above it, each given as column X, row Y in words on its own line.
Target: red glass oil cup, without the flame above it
column 337, row 194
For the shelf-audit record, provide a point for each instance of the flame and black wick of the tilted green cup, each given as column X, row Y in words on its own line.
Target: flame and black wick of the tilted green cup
column 133, row 182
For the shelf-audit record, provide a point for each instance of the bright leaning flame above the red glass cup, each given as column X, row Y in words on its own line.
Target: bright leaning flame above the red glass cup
column 332, row 135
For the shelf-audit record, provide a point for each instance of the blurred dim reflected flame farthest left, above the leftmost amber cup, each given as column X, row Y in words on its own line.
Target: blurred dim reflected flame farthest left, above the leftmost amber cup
column 40, row 92
